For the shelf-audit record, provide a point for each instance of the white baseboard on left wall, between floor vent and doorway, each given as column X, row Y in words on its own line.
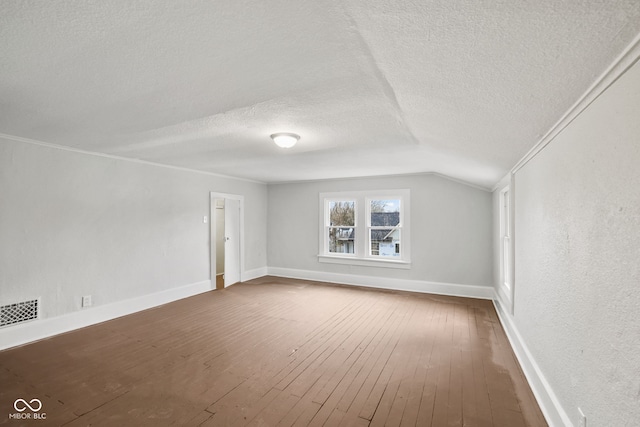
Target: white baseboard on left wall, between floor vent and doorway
column 16, row 335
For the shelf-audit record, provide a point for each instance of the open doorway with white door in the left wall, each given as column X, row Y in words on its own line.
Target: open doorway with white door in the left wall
column 227, row 226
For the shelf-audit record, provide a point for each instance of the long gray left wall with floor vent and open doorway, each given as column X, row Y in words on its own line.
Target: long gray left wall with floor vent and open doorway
column 73, row 224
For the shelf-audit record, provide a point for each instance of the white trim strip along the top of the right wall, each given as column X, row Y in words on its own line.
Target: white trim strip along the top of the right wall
column 627, row 59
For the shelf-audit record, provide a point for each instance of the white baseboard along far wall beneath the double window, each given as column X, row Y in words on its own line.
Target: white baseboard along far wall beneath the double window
column 421, row 286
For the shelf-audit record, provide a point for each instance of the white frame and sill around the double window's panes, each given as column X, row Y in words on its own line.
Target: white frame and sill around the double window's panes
column 361, row 255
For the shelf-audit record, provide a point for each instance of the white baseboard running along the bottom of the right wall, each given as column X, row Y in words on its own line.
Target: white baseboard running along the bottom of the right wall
column 553, row 411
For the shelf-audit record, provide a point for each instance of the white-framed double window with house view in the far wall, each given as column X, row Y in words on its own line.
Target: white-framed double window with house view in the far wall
column 365, row 228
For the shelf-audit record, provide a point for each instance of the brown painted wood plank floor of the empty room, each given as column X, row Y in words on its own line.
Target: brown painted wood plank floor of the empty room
column 279, row 352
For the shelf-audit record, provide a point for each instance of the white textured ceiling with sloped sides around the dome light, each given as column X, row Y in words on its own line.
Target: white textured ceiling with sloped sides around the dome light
column 461, row 88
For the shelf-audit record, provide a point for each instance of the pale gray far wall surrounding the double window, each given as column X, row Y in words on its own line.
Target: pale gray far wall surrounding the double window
column 451, row 227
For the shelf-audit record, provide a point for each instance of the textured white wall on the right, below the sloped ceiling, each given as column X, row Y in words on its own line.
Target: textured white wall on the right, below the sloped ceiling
column 577, row 249
